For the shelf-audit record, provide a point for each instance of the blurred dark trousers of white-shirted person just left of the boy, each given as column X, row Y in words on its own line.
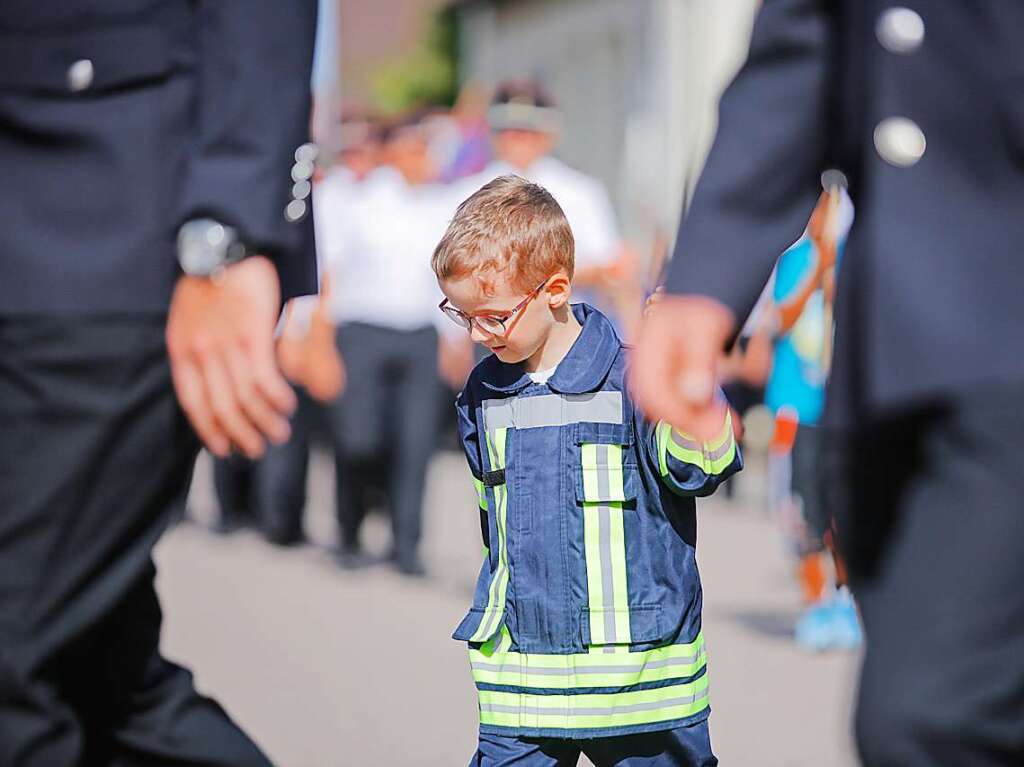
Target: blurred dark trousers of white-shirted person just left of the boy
column 386, row 427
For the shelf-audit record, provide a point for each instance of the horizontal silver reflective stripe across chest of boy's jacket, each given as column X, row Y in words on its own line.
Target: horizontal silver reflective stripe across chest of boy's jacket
column 553, row 410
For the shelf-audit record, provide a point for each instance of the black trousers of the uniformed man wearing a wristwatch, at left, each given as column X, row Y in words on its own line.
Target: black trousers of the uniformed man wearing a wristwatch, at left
column 96, row 457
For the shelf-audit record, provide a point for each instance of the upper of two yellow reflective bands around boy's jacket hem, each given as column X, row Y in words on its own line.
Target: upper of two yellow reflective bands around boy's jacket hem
column 617, row 669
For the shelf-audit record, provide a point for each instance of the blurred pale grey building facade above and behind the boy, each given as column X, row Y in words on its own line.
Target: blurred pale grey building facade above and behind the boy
column 638, row 83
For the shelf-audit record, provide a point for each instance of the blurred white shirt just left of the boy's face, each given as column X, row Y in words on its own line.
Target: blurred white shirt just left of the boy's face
column 376, row 239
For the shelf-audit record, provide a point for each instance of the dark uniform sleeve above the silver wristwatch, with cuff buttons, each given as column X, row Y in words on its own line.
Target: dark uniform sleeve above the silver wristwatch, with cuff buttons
column 252, row 112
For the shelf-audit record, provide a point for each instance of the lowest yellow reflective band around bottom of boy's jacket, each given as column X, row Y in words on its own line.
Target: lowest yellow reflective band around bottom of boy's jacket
column 593, row 711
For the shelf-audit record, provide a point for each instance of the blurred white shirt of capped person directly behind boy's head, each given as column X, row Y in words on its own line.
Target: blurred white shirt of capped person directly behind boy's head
column 582, row 198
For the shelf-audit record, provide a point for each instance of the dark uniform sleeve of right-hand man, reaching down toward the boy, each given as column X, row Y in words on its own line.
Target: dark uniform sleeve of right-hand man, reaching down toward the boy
column 762, row 177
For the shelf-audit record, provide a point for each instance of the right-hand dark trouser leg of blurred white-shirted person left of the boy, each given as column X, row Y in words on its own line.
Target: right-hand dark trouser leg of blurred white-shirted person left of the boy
column 416, row 429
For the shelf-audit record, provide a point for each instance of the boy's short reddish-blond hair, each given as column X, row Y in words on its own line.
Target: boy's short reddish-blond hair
column 509, row 228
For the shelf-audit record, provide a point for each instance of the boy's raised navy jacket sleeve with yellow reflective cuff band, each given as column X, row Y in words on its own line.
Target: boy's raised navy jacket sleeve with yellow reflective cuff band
column 686, row 465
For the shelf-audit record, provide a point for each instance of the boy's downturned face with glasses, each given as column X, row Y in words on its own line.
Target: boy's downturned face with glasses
column 528, row 331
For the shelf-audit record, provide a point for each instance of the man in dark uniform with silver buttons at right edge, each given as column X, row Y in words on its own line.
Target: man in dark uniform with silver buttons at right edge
column 920, row 106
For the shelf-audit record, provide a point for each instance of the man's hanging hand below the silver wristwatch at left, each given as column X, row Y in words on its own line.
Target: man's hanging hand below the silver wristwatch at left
column 221, row 342
